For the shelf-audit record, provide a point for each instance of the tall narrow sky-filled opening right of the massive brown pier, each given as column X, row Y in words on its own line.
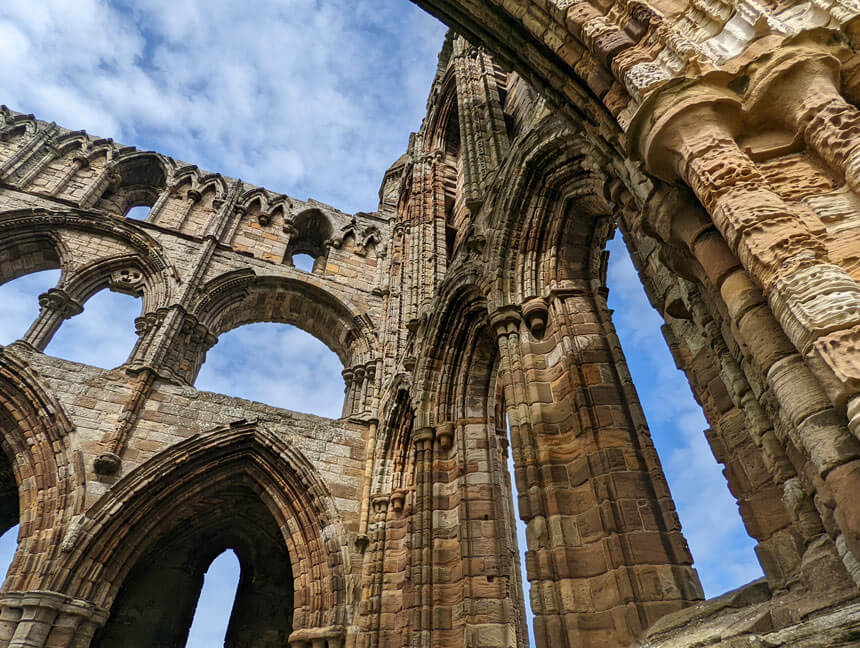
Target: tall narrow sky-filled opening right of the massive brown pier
column 718, row 541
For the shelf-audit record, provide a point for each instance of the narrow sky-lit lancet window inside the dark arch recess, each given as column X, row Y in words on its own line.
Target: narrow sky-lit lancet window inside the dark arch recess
column 212, row 615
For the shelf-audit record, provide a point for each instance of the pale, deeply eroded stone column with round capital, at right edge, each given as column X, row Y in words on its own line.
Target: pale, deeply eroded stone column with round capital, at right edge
column 816, row 303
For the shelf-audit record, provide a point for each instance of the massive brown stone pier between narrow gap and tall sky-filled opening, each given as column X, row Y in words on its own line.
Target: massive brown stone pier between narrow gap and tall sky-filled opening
column 605, row 557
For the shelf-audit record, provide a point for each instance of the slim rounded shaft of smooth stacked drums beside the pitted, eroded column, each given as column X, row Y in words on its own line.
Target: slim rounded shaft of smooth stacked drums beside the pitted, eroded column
column 815, row 426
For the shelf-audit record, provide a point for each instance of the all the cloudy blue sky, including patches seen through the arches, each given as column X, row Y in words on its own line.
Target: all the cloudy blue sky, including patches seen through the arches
column 313, row 98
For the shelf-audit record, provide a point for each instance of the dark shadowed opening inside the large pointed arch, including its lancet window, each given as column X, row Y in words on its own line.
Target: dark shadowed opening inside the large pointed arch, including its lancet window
column 156, row 602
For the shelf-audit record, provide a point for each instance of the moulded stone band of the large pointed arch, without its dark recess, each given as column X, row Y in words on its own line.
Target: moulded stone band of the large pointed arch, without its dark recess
column 176, row 488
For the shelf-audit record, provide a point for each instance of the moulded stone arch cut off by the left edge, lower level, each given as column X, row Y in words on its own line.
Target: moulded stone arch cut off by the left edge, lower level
column 48, row 470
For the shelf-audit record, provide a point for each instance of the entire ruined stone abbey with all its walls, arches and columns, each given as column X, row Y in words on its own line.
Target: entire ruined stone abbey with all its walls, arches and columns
column 721, row 138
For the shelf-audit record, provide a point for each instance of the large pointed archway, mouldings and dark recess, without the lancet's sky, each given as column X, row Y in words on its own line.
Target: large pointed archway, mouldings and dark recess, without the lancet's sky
column 238, row 487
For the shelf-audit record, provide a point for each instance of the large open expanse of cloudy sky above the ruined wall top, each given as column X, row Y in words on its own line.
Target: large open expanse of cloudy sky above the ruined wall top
column 310, row 98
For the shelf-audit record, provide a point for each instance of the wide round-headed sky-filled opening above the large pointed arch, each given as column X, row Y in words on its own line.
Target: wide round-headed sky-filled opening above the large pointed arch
column 277, row 364
